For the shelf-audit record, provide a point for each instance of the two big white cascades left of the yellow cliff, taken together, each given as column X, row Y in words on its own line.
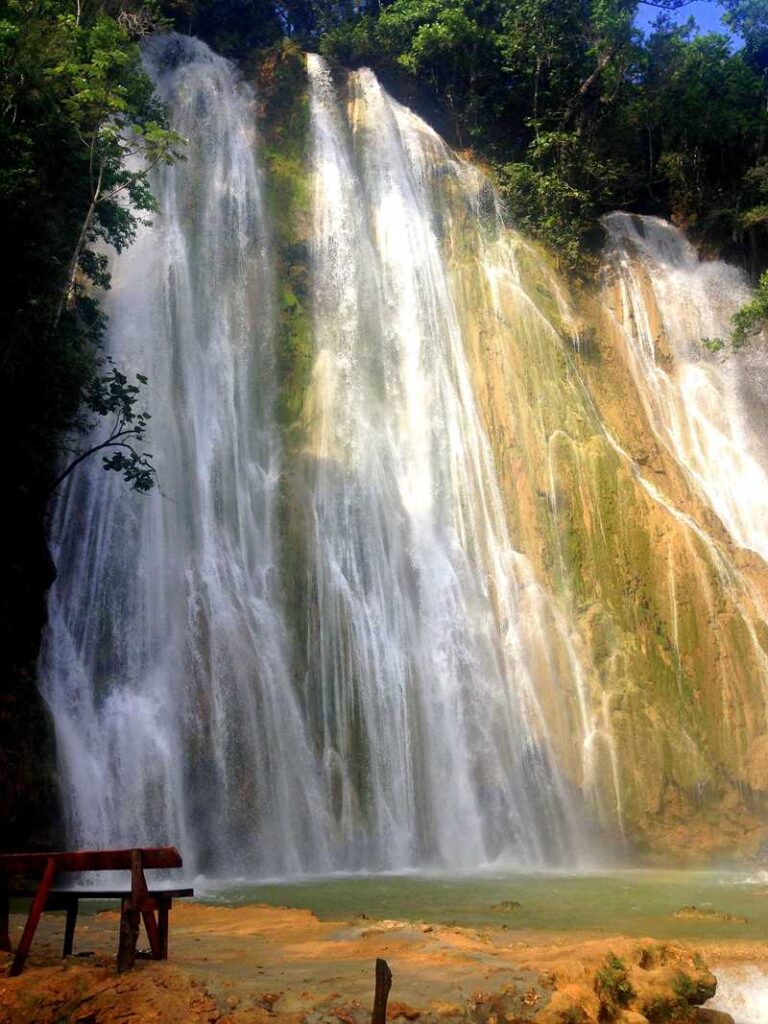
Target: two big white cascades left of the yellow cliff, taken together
column 415, row 736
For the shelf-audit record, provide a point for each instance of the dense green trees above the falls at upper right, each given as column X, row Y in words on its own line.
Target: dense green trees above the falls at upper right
column 580, row 114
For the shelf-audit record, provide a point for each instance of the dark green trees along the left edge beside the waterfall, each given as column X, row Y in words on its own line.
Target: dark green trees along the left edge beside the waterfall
column 79, row 131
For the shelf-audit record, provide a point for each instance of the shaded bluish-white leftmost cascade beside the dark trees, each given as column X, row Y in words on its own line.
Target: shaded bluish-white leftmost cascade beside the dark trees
column 166, row 660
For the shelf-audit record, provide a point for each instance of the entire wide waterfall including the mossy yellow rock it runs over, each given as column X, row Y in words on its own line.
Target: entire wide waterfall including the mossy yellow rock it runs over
column 424, row 584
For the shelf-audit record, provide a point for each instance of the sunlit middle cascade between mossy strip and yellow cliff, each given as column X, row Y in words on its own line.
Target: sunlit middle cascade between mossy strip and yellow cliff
column 435, row 743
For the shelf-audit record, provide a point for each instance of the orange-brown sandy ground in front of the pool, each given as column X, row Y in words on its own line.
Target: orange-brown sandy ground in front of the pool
column 261, row 964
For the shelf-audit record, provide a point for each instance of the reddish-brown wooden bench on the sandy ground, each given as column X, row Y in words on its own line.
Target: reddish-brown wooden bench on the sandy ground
column 138, row 904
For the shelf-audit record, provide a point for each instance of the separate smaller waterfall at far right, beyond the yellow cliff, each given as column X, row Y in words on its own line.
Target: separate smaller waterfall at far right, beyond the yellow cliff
column 707, row 409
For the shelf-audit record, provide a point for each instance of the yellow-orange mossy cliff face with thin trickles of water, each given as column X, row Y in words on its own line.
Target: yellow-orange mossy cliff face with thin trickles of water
column 669, row 612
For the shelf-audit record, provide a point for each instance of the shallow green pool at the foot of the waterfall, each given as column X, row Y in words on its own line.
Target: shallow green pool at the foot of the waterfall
column 631, row 903
